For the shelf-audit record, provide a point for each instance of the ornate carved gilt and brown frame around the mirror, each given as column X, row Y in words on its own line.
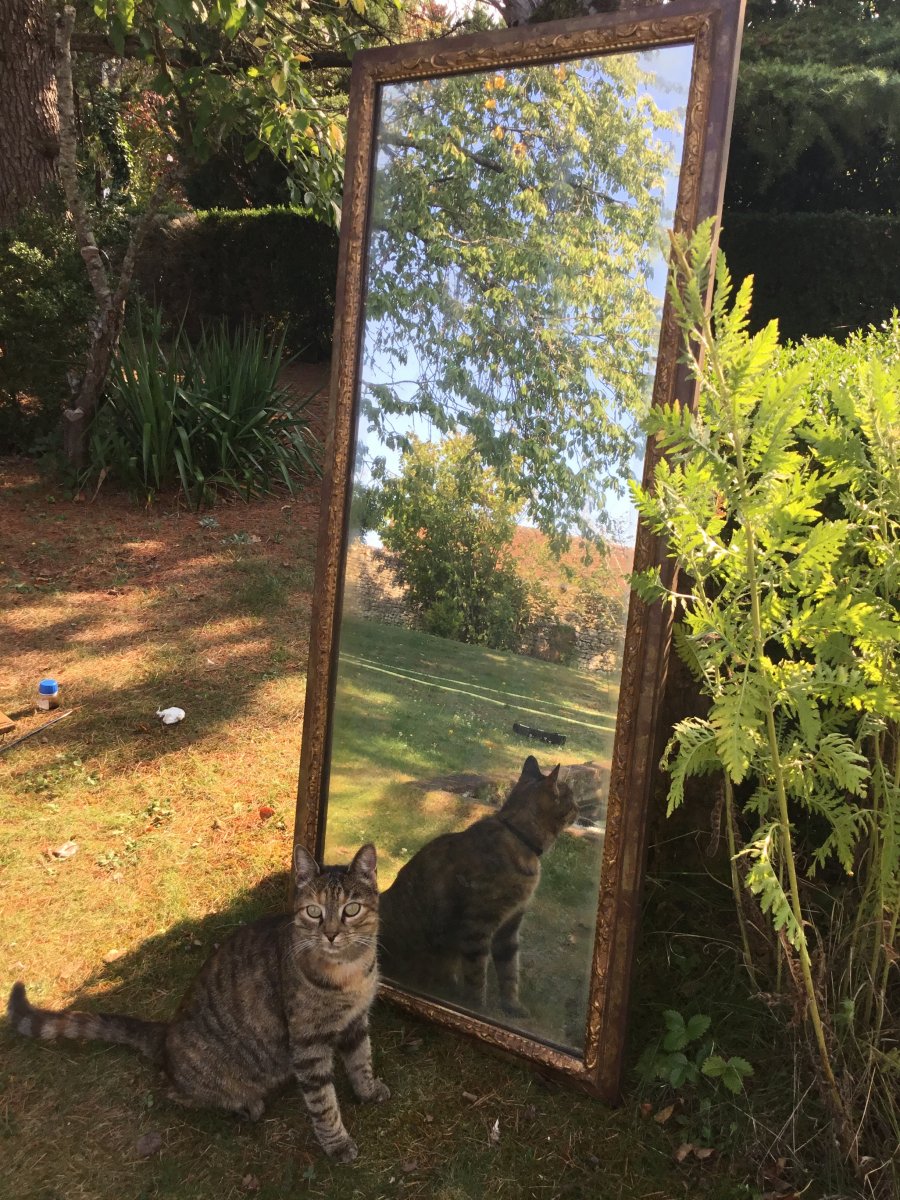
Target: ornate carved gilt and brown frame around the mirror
column 713, row 29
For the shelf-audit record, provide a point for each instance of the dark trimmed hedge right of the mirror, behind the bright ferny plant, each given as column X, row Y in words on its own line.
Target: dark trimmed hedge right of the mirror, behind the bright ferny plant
column 821, row 275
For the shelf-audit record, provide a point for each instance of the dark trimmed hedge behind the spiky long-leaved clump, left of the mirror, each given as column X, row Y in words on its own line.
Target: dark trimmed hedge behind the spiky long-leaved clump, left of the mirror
column 272, row 266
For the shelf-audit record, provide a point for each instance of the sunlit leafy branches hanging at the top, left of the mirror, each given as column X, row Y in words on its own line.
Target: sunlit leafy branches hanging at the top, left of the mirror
column 271, row 75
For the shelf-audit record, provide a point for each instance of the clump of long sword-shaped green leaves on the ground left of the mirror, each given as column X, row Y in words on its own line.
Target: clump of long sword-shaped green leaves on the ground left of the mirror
column 203, row 417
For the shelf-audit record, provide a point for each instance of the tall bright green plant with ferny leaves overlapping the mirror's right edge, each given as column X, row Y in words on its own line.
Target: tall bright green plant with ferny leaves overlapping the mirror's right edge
column 781, row 499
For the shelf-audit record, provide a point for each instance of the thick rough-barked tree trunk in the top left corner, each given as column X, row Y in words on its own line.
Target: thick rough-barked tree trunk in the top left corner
column 29, row 124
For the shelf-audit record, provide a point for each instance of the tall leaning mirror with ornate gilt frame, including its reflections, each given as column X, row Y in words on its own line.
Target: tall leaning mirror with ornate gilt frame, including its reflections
column 483, row 693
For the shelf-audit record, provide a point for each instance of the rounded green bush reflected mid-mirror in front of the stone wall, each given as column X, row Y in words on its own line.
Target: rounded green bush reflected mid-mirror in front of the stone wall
column 451, row 521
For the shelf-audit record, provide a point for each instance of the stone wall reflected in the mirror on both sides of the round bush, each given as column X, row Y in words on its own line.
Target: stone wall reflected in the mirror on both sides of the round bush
column 371, row 592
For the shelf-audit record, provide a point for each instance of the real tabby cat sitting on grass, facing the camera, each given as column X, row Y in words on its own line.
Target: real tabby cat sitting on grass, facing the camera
column 275, row 1001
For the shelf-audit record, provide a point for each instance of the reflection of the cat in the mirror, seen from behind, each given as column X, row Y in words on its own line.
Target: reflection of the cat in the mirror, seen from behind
column 461, row 898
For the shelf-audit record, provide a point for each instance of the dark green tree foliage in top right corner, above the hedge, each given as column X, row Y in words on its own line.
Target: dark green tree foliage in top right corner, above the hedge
column 818, row 109
